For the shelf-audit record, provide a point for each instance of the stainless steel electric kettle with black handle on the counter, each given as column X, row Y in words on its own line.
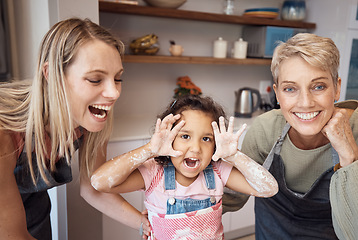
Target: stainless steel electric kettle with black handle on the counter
column 244, row 104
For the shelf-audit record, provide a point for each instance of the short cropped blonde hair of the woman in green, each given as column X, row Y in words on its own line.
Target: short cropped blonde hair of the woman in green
column 317, row 51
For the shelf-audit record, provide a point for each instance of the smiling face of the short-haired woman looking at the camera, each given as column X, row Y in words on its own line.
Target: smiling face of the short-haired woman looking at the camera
column 306, row 95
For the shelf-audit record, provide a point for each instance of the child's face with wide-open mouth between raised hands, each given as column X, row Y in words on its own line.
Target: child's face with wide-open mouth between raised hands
column 196, row 141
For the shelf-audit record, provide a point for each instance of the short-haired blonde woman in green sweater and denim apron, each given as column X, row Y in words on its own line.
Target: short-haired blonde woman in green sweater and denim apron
column 309, row 145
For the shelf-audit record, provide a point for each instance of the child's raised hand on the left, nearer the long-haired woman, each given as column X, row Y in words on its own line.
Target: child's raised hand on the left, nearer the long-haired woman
column 164, row 135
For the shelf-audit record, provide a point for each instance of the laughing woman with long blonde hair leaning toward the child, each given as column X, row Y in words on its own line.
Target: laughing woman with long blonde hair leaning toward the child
column 67, row 106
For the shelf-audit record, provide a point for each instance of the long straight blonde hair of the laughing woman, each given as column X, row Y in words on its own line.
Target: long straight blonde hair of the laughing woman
column 45, row 102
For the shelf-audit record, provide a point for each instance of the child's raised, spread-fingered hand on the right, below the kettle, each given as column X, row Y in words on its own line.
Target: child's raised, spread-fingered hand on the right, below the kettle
column 226, row 141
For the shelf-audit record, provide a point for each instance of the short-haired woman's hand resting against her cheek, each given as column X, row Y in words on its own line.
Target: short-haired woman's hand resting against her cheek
column 339, row 133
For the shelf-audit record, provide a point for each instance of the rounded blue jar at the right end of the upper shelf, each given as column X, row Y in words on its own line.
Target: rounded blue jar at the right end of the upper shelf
column 294, row 10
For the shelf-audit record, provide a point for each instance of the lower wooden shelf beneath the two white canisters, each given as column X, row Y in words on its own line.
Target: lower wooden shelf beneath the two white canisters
column 194, row 60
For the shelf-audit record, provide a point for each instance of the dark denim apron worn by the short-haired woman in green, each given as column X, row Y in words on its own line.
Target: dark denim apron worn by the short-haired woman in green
column 291, row 215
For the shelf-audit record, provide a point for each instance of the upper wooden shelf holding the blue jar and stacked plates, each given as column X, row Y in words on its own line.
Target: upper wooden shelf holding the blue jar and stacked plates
column 116, row 7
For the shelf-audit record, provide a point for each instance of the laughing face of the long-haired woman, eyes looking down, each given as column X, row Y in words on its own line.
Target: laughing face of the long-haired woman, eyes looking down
column 94, row 84
